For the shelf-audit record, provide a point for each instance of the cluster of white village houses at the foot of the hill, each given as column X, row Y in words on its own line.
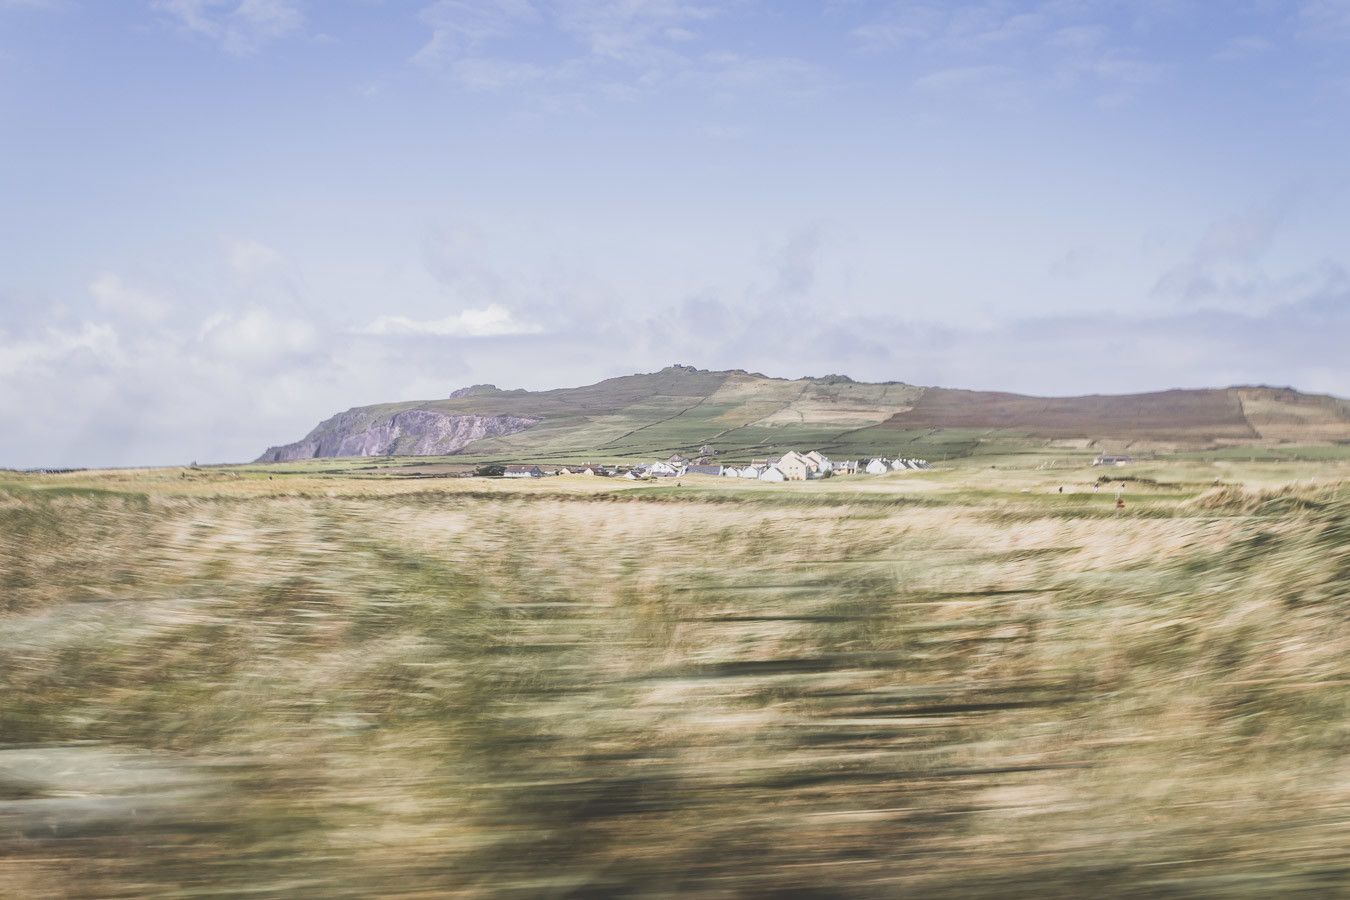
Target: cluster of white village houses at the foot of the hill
column 792, row 466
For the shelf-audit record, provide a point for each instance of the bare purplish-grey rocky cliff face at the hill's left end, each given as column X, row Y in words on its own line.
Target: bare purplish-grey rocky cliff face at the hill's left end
column 412, row 432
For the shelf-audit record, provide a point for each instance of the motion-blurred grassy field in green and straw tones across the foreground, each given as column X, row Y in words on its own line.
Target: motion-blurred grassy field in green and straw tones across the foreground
column 322, row 679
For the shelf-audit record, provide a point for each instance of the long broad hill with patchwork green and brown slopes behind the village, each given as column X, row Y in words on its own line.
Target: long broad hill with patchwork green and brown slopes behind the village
column 740, row 414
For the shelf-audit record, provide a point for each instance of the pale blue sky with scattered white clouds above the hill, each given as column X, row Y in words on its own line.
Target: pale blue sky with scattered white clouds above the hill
column 225, row 221
